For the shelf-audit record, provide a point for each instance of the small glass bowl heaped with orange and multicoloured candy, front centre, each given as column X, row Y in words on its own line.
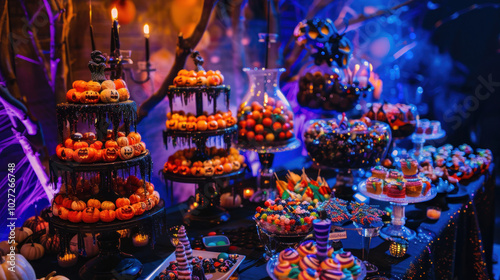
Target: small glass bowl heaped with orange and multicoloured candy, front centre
column 283, row 224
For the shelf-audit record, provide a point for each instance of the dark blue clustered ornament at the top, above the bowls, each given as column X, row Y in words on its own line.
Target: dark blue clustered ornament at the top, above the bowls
column 330, row 46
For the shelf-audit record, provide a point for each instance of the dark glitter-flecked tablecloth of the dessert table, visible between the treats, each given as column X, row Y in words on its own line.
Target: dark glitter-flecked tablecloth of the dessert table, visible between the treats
column 459, row 244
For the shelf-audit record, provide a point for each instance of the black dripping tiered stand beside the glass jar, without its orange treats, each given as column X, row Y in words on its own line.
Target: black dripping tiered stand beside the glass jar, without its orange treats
column 207, row 207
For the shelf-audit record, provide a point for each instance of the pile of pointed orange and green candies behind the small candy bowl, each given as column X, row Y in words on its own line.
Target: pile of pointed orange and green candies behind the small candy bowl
column 303, row 188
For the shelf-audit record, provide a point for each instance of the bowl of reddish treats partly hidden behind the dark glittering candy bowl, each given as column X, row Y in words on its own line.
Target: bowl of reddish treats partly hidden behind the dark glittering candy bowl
column 400, row 117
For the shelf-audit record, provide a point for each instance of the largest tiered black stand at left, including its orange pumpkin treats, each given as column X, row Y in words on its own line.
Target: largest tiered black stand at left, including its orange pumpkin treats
column 104, row 179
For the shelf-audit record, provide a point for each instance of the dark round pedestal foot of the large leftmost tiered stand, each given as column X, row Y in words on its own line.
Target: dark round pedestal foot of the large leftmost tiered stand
column 111, row 263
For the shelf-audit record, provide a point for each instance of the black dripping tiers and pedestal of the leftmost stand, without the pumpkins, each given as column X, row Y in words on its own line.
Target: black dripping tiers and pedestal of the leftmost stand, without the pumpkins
column 110, row 263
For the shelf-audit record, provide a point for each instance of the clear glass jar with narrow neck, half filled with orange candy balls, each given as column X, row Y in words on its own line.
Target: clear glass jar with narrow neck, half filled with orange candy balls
column 265, row 118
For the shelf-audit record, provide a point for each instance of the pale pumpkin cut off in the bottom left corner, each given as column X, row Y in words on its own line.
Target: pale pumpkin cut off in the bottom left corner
column 23, row 271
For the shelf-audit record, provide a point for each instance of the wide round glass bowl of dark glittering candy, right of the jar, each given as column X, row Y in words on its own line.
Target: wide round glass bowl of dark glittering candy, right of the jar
column 347, row 144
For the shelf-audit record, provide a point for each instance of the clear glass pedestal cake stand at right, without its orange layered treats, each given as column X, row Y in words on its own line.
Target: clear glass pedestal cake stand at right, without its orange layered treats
column 397, row 226
